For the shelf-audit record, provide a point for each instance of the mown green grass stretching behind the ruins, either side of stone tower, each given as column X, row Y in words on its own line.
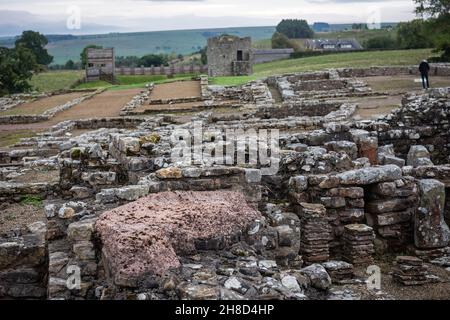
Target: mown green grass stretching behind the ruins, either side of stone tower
column 52, row 81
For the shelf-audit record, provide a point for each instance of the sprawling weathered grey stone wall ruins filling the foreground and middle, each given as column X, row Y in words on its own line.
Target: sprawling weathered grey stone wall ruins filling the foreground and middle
column 134, row 223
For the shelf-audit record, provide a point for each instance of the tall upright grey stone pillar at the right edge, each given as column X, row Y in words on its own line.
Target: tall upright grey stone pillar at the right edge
column 430, row 229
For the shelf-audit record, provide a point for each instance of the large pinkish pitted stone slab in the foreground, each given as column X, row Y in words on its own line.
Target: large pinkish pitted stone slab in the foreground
column 146, row 236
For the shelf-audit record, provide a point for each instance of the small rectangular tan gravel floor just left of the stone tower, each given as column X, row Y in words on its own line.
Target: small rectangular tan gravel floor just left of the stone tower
column 176, row 90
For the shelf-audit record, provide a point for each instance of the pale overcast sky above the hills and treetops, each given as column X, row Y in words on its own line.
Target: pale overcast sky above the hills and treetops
column 148, row 15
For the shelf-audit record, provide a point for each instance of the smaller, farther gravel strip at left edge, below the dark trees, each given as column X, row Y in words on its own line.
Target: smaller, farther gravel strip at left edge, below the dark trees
column 41, row 105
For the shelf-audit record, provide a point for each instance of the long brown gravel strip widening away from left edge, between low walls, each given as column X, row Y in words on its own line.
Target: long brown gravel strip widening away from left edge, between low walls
column 106, row 104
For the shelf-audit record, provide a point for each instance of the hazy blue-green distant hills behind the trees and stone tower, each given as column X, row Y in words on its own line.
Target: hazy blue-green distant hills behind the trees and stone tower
column 65, row 47
